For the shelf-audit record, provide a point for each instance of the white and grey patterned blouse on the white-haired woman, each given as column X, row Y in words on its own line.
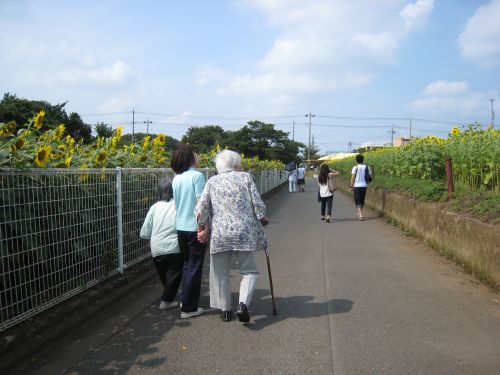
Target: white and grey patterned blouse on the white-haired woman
column 234, row 203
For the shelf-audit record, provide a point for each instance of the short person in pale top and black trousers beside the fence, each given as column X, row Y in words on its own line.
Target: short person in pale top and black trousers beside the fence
column 159, row 227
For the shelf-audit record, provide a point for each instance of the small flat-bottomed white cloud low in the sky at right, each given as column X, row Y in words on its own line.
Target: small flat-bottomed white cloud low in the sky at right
column 449, row 96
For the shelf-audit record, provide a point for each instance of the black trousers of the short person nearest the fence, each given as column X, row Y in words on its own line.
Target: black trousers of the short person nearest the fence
column 169, row 268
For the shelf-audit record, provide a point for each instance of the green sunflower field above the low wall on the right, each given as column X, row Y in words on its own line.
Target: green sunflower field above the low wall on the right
column 419, row 169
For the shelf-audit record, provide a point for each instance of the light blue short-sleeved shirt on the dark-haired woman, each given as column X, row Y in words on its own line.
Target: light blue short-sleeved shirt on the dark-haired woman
column 187, row 187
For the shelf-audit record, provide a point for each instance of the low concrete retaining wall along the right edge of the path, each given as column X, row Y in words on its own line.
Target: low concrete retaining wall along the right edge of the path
column 474, row 244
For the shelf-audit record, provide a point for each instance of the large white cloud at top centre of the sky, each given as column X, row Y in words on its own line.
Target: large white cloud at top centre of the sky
column 325, row 46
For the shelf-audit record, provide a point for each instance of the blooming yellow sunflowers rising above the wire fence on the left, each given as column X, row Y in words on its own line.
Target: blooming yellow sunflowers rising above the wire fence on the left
column 28, row 147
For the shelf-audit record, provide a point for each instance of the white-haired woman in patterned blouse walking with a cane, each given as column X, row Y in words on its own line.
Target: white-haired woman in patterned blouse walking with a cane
column 237, row 211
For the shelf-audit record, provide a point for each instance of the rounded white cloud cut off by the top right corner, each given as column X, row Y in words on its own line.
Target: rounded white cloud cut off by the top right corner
column 480, row 41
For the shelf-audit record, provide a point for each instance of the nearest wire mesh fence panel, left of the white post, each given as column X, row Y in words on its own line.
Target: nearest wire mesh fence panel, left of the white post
column 57, row 237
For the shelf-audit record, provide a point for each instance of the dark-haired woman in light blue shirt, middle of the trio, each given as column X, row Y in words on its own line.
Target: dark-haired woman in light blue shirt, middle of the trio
column 188, row 186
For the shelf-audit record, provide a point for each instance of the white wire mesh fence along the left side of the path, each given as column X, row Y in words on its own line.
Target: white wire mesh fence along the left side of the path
column 63, row 231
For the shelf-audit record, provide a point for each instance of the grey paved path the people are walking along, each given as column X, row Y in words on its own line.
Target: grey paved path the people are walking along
column 352, row 297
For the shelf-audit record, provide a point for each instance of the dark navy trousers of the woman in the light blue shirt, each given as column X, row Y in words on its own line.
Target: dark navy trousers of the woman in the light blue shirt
column 193, row 254
